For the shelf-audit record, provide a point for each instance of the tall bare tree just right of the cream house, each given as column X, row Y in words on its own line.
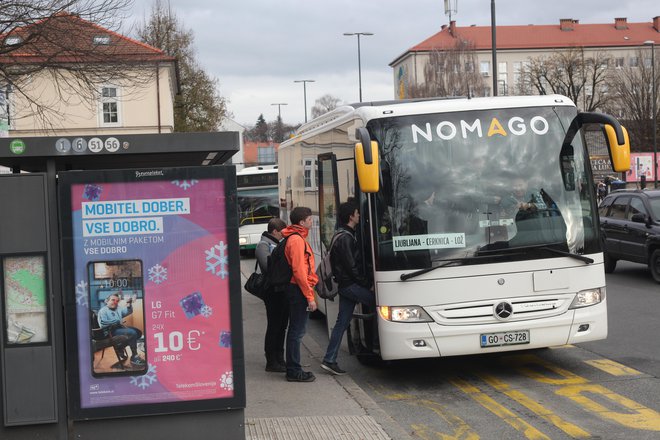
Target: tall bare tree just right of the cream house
column 199, row 107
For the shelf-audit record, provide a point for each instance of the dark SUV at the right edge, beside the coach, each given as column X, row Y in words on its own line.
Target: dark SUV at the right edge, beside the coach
column 630, row 228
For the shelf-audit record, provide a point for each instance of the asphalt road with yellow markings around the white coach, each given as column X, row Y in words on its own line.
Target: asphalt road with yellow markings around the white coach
column 606, row 389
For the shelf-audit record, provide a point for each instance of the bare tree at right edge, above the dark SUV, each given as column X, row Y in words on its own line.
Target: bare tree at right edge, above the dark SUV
column 631, row 88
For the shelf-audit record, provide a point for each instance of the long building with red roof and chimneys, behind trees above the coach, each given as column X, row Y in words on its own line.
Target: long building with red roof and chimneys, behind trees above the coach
column 516, row 44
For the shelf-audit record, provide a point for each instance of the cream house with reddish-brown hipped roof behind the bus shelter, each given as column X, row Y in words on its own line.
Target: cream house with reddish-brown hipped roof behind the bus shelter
column 91, row 81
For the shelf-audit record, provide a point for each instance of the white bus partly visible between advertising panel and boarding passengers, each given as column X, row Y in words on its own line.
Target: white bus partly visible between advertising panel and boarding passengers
column 257, row 203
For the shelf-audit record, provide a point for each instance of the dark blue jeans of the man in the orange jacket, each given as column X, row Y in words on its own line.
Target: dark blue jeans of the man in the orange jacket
column 298, row 316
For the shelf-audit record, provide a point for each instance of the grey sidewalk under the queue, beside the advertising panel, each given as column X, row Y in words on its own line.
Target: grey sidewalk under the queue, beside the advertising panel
column 332, row 407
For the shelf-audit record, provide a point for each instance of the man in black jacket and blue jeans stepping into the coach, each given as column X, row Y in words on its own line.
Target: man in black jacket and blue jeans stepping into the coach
column 354, row 286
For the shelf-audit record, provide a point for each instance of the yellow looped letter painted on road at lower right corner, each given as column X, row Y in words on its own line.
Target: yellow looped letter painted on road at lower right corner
column 637, row 416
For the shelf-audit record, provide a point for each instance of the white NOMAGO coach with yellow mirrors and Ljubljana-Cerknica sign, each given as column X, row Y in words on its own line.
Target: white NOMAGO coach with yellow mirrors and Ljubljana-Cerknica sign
column 455, row 271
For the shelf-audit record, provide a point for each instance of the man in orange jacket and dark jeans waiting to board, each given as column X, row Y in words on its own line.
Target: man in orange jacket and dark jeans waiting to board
column 300, row 291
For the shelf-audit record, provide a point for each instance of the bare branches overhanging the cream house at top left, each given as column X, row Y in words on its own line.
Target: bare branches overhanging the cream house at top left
column 55, row 40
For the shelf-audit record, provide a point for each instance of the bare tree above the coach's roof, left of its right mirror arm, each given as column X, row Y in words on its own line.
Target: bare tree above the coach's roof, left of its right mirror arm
column 570, row 73
